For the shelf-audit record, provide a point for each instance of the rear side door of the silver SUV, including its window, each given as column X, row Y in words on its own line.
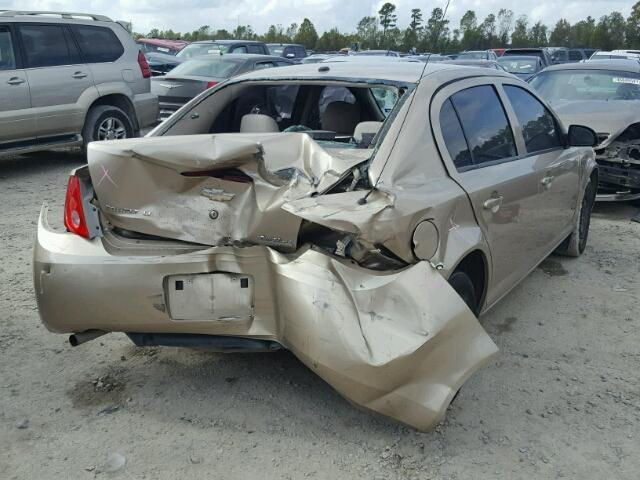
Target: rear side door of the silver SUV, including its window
column 57, row 78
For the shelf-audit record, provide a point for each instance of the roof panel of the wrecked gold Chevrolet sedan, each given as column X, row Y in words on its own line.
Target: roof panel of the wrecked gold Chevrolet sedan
column 402, row 72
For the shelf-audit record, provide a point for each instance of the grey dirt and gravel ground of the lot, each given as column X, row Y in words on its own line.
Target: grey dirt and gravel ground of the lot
column 562, row 401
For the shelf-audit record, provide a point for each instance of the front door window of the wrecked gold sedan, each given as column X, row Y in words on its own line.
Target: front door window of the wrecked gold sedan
column 539, row 128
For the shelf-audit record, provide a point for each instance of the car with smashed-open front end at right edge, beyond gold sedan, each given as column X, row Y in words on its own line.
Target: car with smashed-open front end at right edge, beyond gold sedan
column 606, row 97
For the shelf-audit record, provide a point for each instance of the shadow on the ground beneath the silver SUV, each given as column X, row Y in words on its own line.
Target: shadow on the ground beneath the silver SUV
column 39, row 162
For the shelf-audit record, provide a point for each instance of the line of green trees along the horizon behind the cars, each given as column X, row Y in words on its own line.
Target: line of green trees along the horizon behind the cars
column 436, row 34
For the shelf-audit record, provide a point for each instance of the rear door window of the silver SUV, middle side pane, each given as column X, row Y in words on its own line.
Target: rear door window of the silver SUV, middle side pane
column 45, row 46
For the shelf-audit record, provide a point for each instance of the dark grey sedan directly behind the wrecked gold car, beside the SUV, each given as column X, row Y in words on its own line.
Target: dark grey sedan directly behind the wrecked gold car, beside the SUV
column 194, row 76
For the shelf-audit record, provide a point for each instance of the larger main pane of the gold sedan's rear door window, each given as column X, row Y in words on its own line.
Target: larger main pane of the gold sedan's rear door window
column 485, row 124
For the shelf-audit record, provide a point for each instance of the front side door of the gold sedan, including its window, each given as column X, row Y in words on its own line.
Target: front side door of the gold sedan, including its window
column 559, row 167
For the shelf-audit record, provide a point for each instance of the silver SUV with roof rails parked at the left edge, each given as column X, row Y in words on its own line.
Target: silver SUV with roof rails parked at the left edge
column 68, row 79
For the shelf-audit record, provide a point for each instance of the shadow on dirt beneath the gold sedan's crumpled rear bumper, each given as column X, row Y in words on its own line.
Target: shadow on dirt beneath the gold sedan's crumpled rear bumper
column 206, row 388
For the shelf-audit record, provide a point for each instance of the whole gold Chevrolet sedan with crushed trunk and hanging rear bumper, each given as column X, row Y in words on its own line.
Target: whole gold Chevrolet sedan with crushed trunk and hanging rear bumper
column 359, row 216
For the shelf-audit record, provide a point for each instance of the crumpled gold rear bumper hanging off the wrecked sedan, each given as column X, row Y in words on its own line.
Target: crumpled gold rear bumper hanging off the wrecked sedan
column 400, row 344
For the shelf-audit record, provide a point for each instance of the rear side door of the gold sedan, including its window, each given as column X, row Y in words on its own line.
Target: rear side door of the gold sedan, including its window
column 478, row 145
